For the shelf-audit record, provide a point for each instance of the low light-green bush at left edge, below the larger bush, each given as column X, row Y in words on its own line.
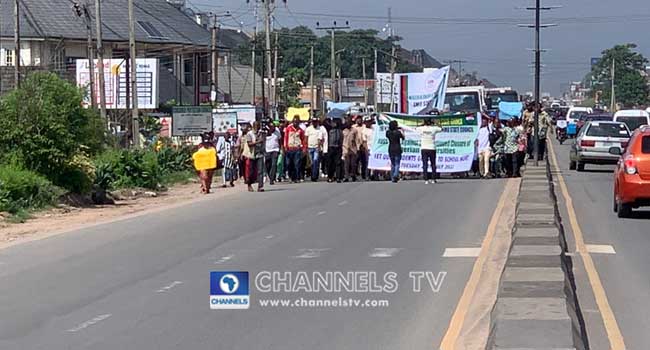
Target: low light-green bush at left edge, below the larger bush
column 22, row 189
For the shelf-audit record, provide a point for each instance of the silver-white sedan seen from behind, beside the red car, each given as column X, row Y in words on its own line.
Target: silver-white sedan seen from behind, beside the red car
column 594, row 142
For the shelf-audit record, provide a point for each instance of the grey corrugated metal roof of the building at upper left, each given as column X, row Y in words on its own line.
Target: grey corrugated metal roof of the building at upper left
column 57, row 19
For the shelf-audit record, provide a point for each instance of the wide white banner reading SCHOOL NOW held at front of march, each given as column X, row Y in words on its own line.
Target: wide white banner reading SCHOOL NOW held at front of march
column 454, row 145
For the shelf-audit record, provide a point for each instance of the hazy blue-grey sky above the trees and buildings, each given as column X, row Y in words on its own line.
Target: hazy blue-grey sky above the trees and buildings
column 482, row 32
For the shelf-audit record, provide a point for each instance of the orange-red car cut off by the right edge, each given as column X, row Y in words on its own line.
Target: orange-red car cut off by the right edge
column 632, row 175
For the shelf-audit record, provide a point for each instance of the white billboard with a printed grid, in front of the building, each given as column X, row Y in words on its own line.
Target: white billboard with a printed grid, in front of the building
column 116, row 82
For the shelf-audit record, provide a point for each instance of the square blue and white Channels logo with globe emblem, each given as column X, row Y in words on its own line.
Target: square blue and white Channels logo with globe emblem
column 229, row 290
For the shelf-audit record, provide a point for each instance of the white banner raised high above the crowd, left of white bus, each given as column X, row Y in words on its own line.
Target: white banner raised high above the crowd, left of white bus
column 423, row 92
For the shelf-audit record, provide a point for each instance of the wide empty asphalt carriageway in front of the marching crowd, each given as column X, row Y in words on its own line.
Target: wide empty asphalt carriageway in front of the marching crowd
column 143, row 283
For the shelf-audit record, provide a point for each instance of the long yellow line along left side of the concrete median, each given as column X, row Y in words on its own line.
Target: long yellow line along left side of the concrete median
column 458, row 318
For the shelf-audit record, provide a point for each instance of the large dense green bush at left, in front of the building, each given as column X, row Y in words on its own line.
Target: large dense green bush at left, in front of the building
column 44, row 128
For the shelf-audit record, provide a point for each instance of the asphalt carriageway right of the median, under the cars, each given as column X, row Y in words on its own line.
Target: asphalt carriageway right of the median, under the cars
column 624, row 274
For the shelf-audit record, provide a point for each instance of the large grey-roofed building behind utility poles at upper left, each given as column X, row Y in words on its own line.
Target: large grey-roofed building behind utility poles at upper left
column 53, row 37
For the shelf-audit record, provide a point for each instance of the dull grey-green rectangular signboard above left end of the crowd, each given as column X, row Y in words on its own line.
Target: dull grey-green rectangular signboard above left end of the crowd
column 191, row 120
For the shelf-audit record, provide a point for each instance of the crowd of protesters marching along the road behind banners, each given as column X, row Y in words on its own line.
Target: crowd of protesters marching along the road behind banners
column 339, row 150
